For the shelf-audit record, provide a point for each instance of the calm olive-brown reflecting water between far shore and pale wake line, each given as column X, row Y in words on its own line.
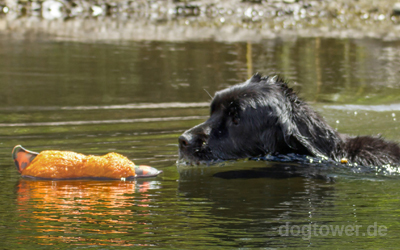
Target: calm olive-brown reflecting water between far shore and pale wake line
column 119, row 76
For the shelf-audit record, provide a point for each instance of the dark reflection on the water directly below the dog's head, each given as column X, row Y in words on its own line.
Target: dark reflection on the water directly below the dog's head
column 269, row 191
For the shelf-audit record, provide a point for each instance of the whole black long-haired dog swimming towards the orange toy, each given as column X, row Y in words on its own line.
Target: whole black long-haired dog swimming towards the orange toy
column 263, row 116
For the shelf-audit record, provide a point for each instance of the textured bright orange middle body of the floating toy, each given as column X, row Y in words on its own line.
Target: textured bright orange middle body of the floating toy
column 69, row 165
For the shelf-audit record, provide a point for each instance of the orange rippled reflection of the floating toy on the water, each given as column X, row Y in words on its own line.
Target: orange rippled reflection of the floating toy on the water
column 61, row 210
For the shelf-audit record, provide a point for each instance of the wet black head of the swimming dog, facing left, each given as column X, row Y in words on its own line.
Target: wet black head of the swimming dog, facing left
column 258, row 117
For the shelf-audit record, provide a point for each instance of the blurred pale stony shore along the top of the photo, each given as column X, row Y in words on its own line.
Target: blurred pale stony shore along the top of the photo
column 226, row 20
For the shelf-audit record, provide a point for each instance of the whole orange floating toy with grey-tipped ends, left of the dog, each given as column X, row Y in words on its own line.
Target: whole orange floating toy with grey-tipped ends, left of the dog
column 58, row 165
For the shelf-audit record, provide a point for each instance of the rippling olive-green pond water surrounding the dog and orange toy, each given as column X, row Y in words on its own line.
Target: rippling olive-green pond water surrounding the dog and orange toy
column 136, row 98
